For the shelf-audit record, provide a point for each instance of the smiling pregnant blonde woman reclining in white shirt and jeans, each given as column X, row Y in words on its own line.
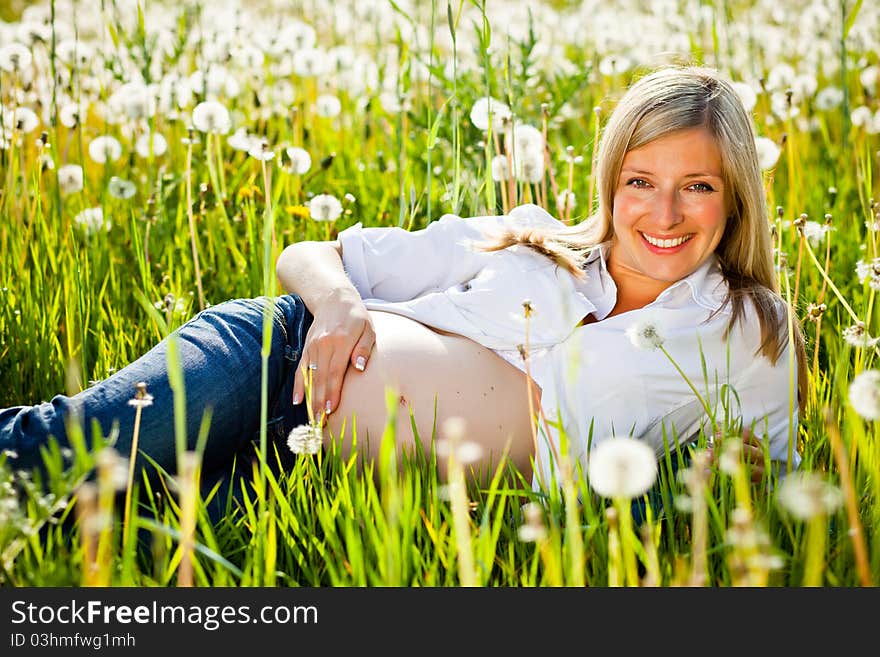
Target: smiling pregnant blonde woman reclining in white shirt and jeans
column 470, row 316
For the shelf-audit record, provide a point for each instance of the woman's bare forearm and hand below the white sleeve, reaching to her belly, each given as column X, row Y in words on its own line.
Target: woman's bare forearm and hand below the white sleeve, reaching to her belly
column 342, row 331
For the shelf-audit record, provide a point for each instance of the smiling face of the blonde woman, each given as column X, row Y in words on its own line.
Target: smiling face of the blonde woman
column 669, row 210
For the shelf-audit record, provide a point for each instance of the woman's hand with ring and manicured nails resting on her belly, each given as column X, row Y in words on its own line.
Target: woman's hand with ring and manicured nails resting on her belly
column 341, row 334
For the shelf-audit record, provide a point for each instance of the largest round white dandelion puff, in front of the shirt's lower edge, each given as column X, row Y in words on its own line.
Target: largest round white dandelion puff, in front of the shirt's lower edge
column 622, row 467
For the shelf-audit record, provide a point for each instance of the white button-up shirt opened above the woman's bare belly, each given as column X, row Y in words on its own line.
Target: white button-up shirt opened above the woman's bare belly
column 593, row 378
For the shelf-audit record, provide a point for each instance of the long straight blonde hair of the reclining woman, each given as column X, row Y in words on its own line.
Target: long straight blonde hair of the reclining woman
column 664, row 101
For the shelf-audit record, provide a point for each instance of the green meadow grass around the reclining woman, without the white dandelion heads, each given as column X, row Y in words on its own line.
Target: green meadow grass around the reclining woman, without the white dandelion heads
column 76, row 307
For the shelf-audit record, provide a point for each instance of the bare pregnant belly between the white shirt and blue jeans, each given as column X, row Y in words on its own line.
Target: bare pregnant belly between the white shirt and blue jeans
column 424, row 367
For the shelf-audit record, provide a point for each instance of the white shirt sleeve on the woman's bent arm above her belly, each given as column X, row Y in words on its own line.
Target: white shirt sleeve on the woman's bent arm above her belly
column 394, row 264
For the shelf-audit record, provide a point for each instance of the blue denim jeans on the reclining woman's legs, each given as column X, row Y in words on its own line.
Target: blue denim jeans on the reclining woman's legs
column 219, row 352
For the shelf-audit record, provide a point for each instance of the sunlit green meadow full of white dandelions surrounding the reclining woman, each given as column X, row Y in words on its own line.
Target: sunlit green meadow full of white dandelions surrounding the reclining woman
column 156, row 157
